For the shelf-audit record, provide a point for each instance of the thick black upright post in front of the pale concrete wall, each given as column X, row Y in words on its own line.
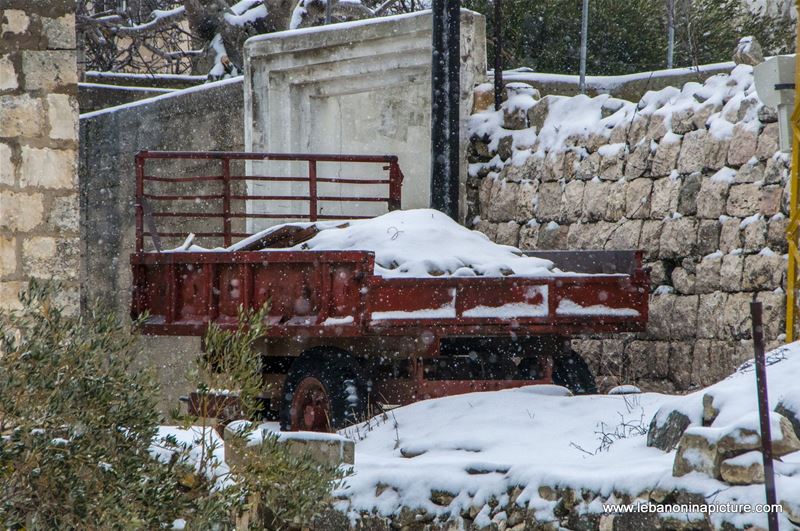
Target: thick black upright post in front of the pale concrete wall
column 446, row 88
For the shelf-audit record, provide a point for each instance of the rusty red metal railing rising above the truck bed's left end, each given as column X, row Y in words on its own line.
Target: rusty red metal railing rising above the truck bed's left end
column 227, row 197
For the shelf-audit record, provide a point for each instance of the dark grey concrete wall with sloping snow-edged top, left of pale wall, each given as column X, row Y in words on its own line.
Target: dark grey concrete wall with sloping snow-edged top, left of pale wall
column 206, row 118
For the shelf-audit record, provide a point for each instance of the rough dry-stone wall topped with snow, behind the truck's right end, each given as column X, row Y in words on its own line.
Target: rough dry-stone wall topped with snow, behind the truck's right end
column 690, row 175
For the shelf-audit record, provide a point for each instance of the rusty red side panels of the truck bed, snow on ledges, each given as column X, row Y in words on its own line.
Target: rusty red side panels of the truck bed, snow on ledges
column 335, row 293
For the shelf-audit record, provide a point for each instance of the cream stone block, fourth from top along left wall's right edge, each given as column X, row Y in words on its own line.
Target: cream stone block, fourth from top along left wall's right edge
column 48, row 168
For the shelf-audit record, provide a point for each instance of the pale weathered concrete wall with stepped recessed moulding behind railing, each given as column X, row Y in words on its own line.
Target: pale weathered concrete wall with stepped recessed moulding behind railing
column 364, row 88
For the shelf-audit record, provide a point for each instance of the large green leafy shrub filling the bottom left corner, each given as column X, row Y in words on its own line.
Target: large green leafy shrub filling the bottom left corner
column 77, row 424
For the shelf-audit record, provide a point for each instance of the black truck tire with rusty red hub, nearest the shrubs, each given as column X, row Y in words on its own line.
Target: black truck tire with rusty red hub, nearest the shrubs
column 323, row 392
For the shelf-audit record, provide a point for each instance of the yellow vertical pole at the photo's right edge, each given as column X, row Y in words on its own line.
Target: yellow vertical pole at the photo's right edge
column 794, row 214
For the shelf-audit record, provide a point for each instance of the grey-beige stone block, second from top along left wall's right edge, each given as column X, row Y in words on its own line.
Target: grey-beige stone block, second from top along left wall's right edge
column 50, row 71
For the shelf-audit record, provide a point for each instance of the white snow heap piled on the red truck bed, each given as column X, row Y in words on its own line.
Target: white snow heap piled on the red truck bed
column 420, row 243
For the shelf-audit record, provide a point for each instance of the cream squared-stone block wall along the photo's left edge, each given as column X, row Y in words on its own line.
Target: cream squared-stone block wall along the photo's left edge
column 38, row 148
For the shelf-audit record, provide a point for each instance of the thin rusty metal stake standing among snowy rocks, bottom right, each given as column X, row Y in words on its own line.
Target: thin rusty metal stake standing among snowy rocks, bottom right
column 763, row 411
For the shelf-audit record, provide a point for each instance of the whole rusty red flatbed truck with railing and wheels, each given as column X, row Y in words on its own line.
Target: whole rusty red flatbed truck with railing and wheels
column 341, row 339
